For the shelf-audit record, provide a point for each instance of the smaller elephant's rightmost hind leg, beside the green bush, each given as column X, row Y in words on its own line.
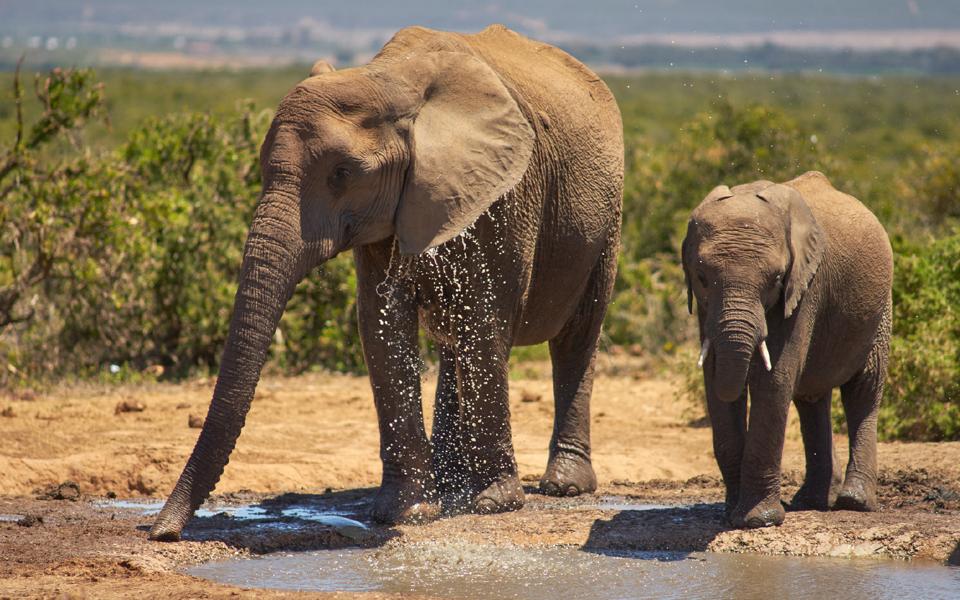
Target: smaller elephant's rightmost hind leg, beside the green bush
column 861, row 403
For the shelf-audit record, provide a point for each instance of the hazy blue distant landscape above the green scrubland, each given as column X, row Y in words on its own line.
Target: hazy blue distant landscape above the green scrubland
column 848, row 36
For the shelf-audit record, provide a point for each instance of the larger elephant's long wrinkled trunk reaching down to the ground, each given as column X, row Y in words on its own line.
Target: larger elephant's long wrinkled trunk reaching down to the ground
column 273, row 263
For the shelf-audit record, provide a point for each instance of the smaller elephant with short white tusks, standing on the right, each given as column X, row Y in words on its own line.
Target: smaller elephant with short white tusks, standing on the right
column 793, row 284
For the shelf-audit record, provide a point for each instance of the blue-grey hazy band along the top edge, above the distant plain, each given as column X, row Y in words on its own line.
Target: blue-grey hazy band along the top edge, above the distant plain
column 586, row 18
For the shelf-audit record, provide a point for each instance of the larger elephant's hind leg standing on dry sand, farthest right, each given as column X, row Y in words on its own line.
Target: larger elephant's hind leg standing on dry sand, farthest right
column 573, row 353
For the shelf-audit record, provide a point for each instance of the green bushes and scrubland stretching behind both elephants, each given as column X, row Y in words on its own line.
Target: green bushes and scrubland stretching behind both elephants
column 123, row 211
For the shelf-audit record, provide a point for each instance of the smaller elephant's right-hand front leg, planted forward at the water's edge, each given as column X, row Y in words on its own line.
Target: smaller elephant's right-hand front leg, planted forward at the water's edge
column 759, row 503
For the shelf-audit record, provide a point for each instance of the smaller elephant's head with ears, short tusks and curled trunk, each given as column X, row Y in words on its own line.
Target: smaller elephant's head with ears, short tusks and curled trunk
column 747, row 251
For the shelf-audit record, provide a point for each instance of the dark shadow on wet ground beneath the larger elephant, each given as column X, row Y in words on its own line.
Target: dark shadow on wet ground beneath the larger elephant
column 290, row 522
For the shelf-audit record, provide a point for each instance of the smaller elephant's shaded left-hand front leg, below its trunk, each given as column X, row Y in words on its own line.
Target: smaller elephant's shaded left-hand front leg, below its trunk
column 729, row 423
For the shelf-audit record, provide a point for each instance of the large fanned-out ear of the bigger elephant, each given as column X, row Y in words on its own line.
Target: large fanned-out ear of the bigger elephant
column 469, row 142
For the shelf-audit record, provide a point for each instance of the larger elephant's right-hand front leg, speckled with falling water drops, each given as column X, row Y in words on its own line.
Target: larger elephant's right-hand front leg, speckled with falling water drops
column 481, row 371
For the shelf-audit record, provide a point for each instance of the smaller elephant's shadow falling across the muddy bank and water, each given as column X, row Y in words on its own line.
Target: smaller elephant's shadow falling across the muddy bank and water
column 664, row 534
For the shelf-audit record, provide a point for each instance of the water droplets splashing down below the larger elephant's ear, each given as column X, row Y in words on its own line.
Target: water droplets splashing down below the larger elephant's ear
column 456, row 285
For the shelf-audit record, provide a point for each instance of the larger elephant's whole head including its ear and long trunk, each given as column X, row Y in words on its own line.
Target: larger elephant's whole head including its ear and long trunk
column 415, row 145
